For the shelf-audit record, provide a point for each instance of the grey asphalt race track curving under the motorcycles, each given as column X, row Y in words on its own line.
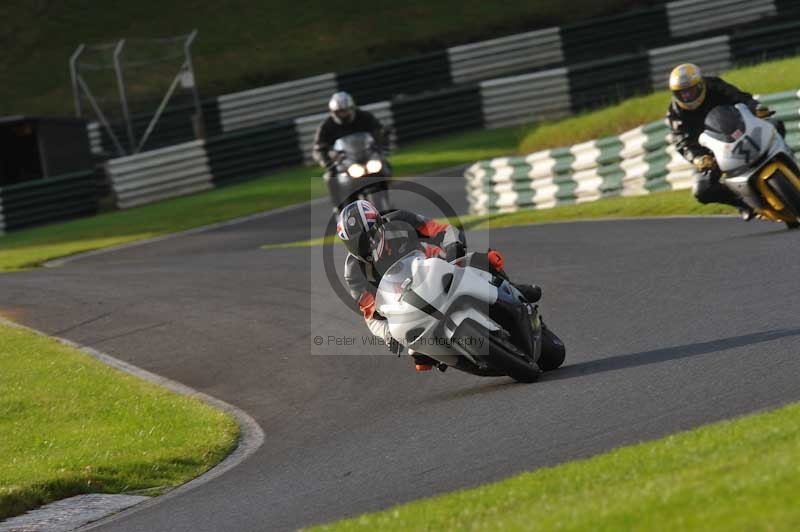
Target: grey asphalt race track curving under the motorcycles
column 669, row 324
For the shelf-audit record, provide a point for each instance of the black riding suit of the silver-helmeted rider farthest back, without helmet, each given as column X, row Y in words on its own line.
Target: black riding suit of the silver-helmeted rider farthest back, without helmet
column 329, row 131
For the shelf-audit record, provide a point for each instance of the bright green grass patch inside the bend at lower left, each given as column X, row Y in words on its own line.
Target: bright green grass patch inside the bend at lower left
column 72, row 425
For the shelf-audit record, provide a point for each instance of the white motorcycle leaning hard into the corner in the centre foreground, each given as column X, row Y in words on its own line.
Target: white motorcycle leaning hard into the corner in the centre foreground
column 465, row 317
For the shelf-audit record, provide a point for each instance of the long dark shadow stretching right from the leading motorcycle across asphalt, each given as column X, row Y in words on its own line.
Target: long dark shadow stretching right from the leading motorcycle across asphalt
column 665, row 354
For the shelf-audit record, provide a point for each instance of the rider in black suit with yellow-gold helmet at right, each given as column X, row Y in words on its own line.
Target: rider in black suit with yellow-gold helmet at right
column 694, row 96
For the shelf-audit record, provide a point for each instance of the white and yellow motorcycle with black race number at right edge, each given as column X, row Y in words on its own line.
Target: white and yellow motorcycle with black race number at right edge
column 755, row 161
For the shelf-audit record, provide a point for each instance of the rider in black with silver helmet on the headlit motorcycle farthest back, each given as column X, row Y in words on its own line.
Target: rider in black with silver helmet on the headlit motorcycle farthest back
column 345, row 118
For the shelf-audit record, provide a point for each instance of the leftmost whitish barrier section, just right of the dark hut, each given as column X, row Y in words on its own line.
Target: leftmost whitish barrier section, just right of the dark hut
column 159, row 174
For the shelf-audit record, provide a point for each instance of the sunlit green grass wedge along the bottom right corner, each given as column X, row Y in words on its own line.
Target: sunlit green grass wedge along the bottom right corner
column 735, row 475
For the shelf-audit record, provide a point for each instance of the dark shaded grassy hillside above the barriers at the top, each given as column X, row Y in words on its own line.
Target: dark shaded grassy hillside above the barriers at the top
column 244, row 44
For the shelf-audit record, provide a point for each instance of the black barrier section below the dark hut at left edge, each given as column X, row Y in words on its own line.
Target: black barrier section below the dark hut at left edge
column 47, row 200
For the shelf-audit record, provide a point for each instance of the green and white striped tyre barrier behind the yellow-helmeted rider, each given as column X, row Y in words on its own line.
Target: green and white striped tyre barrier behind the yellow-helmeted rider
column 637, row 162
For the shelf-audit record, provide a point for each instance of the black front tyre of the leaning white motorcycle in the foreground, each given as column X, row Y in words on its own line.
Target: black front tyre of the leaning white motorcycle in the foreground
column 502, row 355
